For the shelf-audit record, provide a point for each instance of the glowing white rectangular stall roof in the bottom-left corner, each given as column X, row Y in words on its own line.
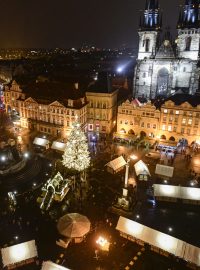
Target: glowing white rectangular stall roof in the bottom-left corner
column 18, row 253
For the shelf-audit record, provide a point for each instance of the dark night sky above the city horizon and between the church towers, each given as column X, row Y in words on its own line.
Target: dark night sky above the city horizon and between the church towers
column 70, row 23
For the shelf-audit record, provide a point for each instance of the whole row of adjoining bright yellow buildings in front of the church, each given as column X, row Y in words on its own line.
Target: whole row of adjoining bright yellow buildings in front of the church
column 177, row 118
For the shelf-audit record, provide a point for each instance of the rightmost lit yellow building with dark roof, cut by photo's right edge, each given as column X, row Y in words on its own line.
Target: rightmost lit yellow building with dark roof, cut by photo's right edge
column 180, row 118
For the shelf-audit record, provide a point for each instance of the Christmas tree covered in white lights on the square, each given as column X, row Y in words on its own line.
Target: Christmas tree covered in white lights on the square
column 76, row 155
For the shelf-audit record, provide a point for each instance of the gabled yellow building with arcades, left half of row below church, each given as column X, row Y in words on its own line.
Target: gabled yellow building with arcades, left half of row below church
column 137, row 119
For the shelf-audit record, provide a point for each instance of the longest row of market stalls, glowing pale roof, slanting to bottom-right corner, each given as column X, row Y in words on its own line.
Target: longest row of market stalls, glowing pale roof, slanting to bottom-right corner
column 159, row 242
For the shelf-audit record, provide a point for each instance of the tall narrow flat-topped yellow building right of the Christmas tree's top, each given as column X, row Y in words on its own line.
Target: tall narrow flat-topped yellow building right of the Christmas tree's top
column 102, row 109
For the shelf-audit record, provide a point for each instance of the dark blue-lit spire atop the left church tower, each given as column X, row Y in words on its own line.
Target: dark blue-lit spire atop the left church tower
column 151, row 17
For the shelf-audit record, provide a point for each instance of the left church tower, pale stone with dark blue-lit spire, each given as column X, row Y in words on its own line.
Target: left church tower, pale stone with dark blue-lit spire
column 150, row 25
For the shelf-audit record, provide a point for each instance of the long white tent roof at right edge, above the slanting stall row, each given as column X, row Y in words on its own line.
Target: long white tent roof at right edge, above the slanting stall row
column 186, row 193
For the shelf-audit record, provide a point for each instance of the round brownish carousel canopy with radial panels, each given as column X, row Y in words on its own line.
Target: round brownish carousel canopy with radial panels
column 73, row 225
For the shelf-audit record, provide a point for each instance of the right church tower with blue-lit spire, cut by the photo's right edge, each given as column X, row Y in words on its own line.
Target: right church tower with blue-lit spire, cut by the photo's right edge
column 188, row 41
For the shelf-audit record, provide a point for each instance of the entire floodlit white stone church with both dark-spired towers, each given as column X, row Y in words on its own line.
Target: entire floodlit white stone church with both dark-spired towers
column 164, row 65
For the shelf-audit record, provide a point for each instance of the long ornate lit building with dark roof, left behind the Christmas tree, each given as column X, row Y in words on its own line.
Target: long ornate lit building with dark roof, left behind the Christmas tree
column 48, row 107
